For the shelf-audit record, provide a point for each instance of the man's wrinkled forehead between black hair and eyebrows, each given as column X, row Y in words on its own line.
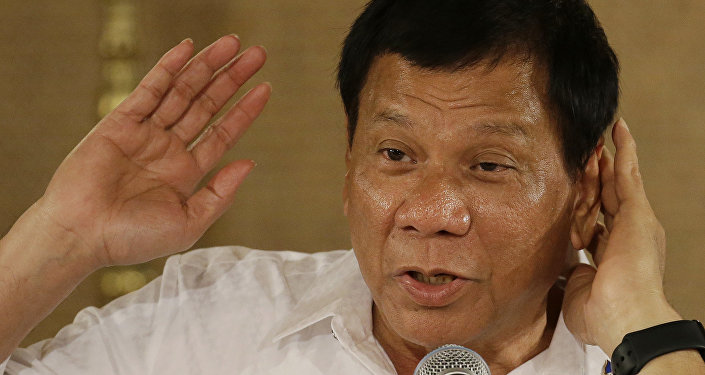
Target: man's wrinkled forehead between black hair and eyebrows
column 509, row 93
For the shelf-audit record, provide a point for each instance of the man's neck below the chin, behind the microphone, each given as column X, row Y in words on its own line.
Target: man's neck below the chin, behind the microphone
column 503, row 350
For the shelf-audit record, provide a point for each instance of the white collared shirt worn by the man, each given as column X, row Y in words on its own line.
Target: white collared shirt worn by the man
column 233, row 310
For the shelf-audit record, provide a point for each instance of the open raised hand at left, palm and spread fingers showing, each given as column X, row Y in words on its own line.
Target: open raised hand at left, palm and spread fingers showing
column 126, row 192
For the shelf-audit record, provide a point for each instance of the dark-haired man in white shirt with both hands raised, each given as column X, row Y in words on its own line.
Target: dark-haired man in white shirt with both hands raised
column 475, row 171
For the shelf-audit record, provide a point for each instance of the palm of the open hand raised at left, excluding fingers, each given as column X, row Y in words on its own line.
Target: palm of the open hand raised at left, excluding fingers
column 152, row 178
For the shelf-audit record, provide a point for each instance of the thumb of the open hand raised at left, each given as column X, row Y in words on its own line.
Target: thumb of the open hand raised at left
column 208, row 203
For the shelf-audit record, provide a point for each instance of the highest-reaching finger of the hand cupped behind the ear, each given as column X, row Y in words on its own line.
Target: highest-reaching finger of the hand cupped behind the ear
column 627, row 178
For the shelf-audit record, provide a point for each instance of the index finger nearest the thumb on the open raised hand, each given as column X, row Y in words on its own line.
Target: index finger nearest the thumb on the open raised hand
column 223, row 135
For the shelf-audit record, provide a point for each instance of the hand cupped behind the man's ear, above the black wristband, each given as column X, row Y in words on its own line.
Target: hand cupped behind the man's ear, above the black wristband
column 625, row 292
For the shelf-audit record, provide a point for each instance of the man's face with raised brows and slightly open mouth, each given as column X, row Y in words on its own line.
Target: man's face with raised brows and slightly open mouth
column 457, row 175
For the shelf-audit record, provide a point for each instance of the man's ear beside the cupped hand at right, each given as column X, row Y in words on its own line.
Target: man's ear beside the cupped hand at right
column 586, row 207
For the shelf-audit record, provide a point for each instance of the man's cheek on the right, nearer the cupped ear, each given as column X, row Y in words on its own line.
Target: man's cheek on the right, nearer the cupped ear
column 525, row 232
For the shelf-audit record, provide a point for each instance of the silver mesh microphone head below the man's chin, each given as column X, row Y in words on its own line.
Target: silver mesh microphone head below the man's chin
column 452, row 360
